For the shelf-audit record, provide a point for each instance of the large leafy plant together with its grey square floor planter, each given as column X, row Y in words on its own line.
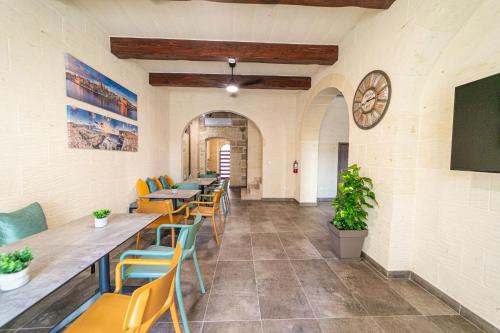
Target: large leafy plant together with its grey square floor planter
column 349, row 227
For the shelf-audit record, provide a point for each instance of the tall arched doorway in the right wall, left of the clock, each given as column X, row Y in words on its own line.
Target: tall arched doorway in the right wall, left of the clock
column 327, row 109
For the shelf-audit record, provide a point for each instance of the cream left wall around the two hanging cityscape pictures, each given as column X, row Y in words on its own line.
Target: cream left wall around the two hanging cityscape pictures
column 35, row 161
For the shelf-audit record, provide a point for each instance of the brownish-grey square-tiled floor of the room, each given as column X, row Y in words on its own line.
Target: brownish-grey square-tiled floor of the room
column 275, row 272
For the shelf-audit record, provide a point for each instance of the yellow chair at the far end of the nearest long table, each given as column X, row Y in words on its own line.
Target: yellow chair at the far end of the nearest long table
column 170, row 216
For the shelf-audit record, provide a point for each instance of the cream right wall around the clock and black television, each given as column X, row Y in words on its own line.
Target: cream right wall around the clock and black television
column 439, row 223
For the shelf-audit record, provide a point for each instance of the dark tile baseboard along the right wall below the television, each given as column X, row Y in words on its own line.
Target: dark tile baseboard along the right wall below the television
column 433, row 290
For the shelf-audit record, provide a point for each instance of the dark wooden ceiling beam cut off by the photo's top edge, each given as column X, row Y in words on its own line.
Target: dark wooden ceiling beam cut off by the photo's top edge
column 375, row 4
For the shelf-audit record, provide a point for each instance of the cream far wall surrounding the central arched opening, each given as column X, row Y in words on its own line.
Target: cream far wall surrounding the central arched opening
column 273, row 112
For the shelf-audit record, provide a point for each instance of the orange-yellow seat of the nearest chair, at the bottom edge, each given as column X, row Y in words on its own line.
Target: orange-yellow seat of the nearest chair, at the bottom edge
column 106, row 315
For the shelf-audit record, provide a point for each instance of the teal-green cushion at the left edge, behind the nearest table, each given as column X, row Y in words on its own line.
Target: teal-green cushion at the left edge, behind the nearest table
column 22, row 223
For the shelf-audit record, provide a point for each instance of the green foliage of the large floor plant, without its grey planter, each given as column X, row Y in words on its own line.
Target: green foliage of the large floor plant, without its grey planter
column 354, row 196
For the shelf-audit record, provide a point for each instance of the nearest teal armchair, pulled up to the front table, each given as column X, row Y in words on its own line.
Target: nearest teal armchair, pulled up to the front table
column 187, row 237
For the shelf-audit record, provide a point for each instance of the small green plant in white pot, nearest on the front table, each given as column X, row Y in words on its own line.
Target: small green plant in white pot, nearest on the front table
column 14, row 269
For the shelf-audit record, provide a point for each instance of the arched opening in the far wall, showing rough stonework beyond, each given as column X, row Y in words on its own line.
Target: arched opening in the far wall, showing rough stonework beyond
column 204, row 138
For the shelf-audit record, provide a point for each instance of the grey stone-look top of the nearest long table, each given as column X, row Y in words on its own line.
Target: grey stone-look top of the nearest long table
column 63, row 252
